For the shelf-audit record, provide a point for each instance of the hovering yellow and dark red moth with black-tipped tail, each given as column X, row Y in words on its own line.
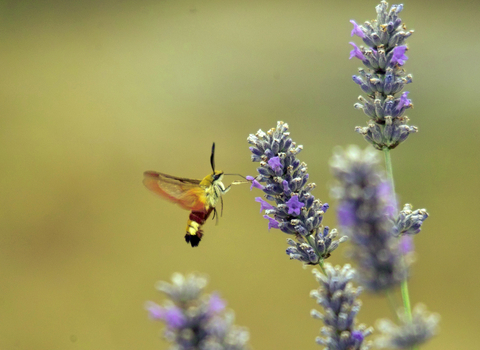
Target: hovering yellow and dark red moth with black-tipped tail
column 199, row 196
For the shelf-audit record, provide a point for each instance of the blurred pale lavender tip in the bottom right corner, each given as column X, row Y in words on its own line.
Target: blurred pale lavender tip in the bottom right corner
column 423, row 326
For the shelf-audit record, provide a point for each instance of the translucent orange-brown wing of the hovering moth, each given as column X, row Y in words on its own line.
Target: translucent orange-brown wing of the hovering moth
column 185, row 192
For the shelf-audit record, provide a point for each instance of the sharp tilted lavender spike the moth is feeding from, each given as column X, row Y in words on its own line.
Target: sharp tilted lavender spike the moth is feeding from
column 294, row 210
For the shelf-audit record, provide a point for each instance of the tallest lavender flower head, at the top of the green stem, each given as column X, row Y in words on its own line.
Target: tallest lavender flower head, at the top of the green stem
column 383, row 78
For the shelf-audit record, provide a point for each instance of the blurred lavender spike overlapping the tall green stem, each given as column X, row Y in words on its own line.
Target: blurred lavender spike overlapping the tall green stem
column 365, row 213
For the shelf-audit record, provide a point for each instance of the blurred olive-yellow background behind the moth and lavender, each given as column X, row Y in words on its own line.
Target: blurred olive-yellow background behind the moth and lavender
column 93, row 93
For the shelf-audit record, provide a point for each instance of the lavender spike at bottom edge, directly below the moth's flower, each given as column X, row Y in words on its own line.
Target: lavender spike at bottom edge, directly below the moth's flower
column 338, row 298
